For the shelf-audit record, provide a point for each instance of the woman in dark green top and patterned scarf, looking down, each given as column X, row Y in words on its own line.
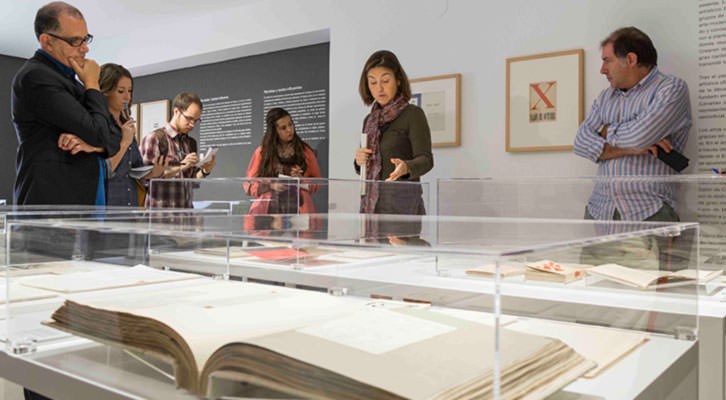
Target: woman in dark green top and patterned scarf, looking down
column 398, row 139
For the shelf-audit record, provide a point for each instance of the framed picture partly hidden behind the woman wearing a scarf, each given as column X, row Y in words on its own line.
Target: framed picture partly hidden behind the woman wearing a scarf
column 439, row 97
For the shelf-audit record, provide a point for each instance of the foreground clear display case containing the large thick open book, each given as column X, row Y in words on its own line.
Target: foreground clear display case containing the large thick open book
column 354, row 305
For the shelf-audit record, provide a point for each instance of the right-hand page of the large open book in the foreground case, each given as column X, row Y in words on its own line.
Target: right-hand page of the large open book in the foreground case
column 375, row 349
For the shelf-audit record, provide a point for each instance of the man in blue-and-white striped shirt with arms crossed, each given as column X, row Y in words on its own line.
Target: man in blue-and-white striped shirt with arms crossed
column 643, row 108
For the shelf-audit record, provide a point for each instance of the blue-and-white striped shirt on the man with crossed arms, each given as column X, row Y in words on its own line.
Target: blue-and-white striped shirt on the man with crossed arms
column 654, row 109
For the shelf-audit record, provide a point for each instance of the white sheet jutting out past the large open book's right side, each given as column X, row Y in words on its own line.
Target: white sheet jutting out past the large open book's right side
column 604, row 346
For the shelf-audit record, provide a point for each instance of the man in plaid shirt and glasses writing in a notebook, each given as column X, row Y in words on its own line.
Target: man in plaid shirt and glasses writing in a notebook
column 180, row 149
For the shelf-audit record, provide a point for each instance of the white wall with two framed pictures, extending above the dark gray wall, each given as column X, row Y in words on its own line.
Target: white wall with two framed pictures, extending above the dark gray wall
column 430, row 37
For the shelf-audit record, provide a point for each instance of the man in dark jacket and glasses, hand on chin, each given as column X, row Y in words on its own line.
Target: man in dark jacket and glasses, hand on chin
column 51, row 111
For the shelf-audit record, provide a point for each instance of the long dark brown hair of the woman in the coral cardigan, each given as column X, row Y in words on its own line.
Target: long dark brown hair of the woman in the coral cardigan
column 271, row 141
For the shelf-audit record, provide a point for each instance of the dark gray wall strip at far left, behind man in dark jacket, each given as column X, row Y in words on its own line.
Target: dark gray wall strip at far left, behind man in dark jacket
column 8, row 67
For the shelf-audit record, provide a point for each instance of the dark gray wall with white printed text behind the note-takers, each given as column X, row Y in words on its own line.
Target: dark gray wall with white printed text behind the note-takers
column 305, row 68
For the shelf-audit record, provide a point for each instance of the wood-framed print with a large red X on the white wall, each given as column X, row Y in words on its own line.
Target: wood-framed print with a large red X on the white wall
column 544, row 101
